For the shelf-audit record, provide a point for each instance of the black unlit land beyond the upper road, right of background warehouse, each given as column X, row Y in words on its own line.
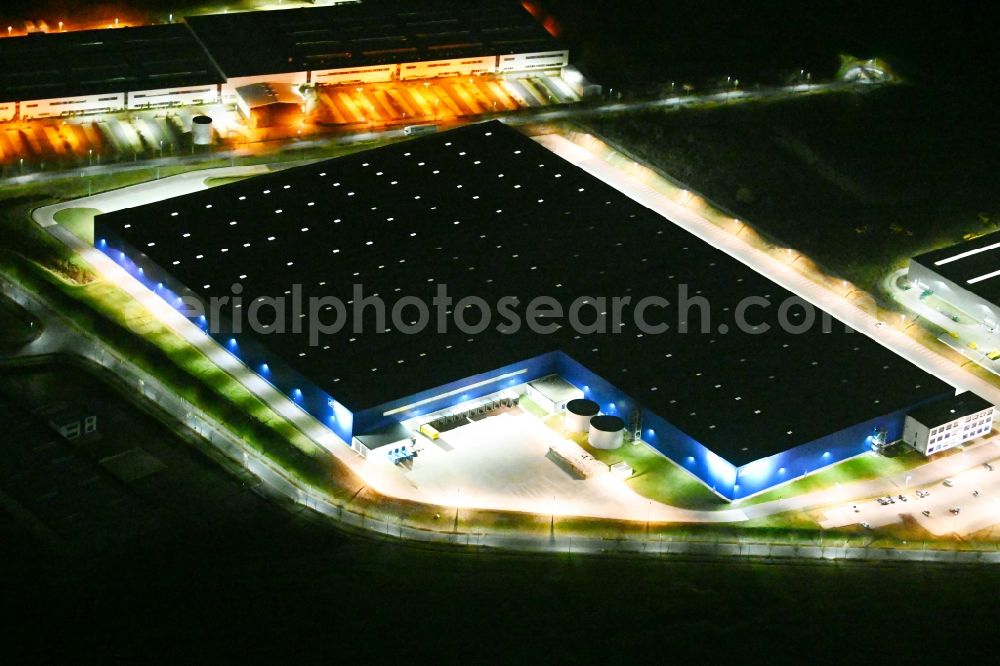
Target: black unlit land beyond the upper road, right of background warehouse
column 638, row 46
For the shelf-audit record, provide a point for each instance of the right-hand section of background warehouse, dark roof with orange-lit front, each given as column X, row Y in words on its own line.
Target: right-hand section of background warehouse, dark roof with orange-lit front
column 377, row 41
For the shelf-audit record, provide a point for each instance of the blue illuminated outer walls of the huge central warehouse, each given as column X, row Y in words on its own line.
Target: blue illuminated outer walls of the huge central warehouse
column 727, row 480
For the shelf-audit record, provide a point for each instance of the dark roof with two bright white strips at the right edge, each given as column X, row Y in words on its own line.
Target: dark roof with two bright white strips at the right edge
column 972, row 265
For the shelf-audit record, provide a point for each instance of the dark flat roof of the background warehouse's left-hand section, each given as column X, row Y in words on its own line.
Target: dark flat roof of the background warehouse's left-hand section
column 89, row 62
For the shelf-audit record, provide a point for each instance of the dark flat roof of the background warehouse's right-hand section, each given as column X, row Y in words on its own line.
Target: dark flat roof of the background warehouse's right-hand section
column 370, row 33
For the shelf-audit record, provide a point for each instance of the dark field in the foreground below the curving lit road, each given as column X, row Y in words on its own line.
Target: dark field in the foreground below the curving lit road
column 246, row 580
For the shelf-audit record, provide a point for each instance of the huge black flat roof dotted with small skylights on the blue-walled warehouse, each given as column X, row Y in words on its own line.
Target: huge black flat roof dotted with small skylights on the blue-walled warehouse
column 491, row 213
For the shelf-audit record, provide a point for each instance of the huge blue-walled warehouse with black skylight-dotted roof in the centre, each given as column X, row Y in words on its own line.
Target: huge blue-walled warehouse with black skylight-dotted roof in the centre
column 491, row 213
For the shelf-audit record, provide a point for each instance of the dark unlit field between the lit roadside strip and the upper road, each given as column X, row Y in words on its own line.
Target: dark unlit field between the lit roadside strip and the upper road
column 859, row 182
